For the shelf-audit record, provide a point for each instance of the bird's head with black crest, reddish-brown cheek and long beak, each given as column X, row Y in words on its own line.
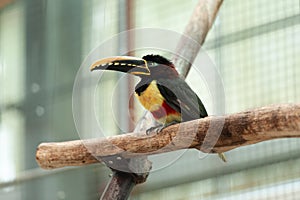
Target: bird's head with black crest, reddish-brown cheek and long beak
column 150, row 66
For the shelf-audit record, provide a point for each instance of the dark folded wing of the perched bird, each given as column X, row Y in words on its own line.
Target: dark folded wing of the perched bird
column 182, row 98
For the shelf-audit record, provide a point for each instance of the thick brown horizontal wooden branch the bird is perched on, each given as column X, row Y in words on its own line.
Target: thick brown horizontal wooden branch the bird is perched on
column 240, row 129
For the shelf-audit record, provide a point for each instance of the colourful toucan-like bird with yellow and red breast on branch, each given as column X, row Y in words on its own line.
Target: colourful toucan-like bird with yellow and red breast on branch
column 160, row 90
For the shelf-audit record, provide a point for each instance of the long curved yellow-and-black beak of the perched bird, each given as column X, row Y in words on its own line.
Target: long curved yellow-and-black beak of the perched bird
column 127, row 64
